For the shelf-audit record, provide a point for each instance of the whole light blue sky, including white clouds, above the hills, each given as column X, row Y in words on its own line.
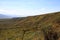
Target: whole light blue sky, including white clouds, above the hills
column 28, row 7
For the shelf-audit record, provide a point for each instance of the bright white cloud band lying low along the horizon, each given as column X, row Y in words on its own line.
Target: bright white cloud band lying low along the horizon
column 23, row 12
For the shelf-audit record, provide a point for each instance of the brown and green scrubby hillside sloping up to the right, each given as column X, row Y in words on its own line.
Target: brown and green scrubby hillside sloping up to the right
column 39, row 27
